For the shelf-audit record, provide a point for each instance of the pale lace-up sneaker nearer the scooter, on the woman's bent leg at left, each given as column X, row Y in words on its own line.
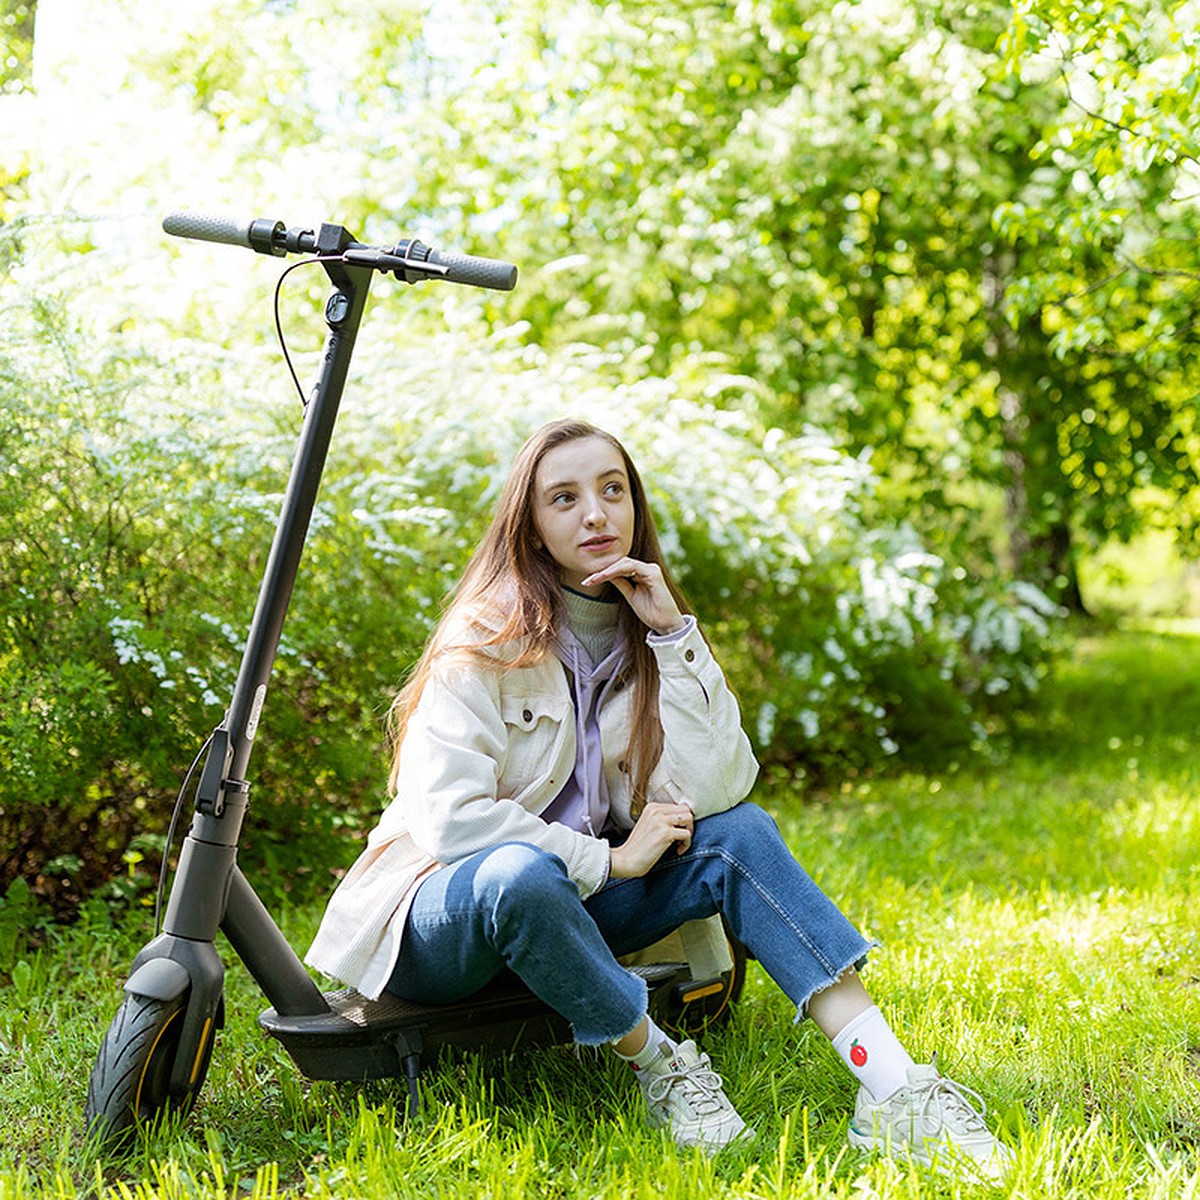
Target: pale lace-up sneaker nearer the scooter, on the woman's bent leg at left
column 685, row 1096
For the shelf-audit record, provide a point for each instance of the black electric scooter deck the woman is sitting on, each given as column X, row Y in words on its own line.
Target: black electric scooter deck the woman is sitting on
column 361, row 1039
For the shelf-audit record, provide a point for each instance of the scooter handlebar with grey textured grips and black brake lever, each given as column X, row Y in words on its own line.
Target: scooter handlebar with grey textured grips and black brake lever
column 409, row 260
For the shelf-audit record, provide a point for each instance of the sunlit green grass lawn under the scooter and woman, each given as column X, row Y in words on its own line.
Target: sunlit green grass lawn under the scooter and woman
column 1040, row 920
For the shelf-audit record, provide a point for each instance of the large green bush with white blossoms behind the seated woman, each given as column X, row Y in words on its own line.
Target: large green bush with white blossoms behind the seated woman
column 139, row 495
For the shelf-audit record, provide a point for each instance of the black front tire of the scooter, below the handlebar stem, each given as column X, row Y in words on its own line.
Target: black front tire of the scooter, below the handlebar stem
column 131, row 1081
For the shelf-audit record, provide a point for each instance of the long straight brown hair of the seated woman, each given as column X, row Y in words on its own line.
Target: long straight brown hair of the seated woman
column 508, row 605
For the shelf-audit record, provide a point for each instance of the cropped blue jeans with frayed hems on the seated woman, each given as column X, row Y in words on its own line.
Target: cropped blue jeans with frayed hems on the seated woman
column 514, row 907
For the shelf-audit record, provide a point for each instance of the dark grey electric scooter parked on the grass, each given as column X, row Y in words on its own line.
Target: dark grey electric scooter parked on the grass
column 157, row 1053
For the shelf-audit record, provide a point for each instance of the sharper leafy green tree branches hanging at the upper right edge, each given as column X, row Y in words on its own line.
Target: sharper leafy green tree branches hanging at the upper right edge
column 1113, row 275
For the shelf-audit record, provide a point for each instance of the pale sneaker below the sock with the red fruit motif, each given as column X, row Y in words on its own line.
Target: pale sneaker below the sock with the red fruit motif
column 934, row 1121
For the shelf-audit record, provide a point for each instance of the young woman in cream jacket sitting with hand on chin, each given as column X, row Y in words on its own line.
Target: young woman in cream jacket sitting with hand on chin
column 569, row 787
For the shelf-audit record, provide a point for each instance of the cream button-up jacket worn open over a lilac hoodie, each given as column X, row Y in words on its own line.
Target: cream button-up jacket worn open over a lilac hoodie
column 487, row 751
